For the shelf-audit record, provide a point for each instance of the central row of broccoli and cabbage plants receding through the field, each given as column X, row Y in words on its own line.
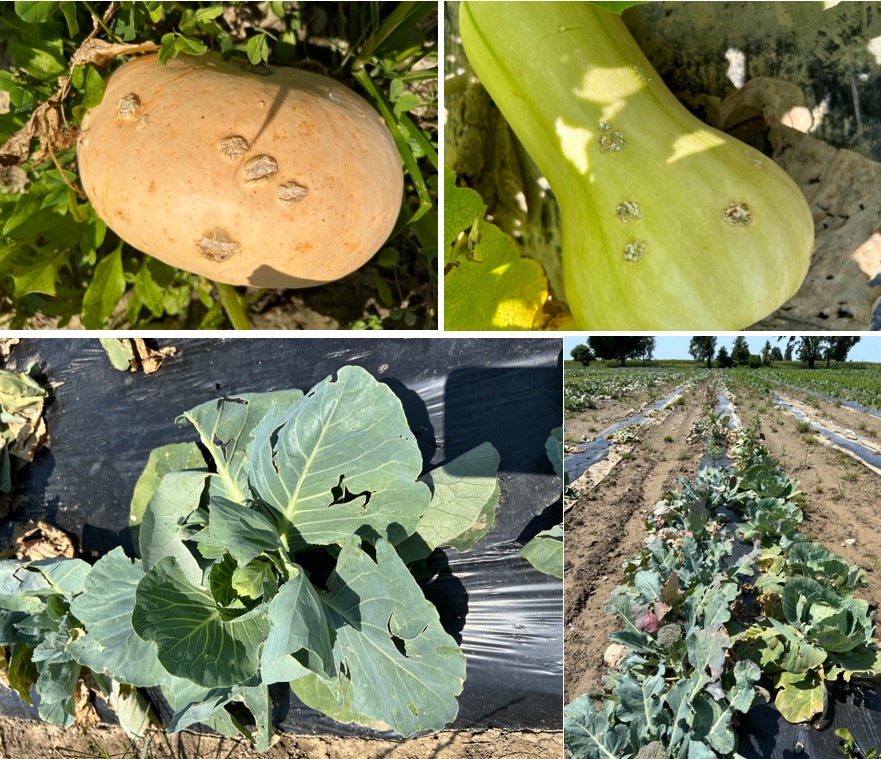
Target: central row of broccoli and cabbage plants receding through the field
column 724, row 593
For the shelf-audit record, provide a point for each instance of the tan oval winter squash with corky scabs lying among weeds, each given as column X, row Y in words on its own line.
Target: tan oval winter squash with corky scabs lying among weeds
column 271, row 177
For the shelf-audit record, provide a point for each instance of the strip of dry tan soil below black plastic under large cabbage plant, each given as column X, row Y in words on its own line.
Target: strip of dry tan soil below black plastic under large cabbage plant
column 24, row 739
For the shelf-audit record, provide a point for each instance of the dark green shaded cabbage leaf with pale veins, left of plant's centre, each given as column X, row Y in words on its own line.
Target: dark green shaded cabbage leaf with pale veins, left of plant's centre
column 194, row 640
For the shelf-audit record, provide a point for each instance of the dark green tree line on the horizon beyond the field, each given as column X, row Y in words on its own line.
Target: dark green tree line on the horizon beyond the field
column 809, row 350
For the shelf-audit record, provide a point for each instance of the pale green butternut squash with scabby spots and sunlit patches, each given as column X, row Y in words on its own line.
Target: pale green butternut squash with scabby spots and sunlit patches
column 668, row 224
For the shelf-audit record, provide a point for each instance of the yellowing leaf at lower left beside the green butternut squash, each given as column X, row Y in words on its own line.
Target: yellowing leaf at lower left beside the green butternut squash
column 494, row 288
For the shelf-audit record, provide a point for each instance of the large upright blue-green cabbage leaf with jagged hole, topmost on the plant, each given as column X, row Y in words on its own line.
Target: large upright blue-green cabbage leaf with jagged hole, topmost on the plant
column 345, row 437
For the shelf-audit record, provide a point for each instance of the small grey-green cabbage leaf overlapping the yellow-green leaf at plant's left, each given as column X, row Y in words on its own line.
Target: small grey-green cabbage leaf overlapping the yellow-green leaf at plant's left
column 160, row 536
